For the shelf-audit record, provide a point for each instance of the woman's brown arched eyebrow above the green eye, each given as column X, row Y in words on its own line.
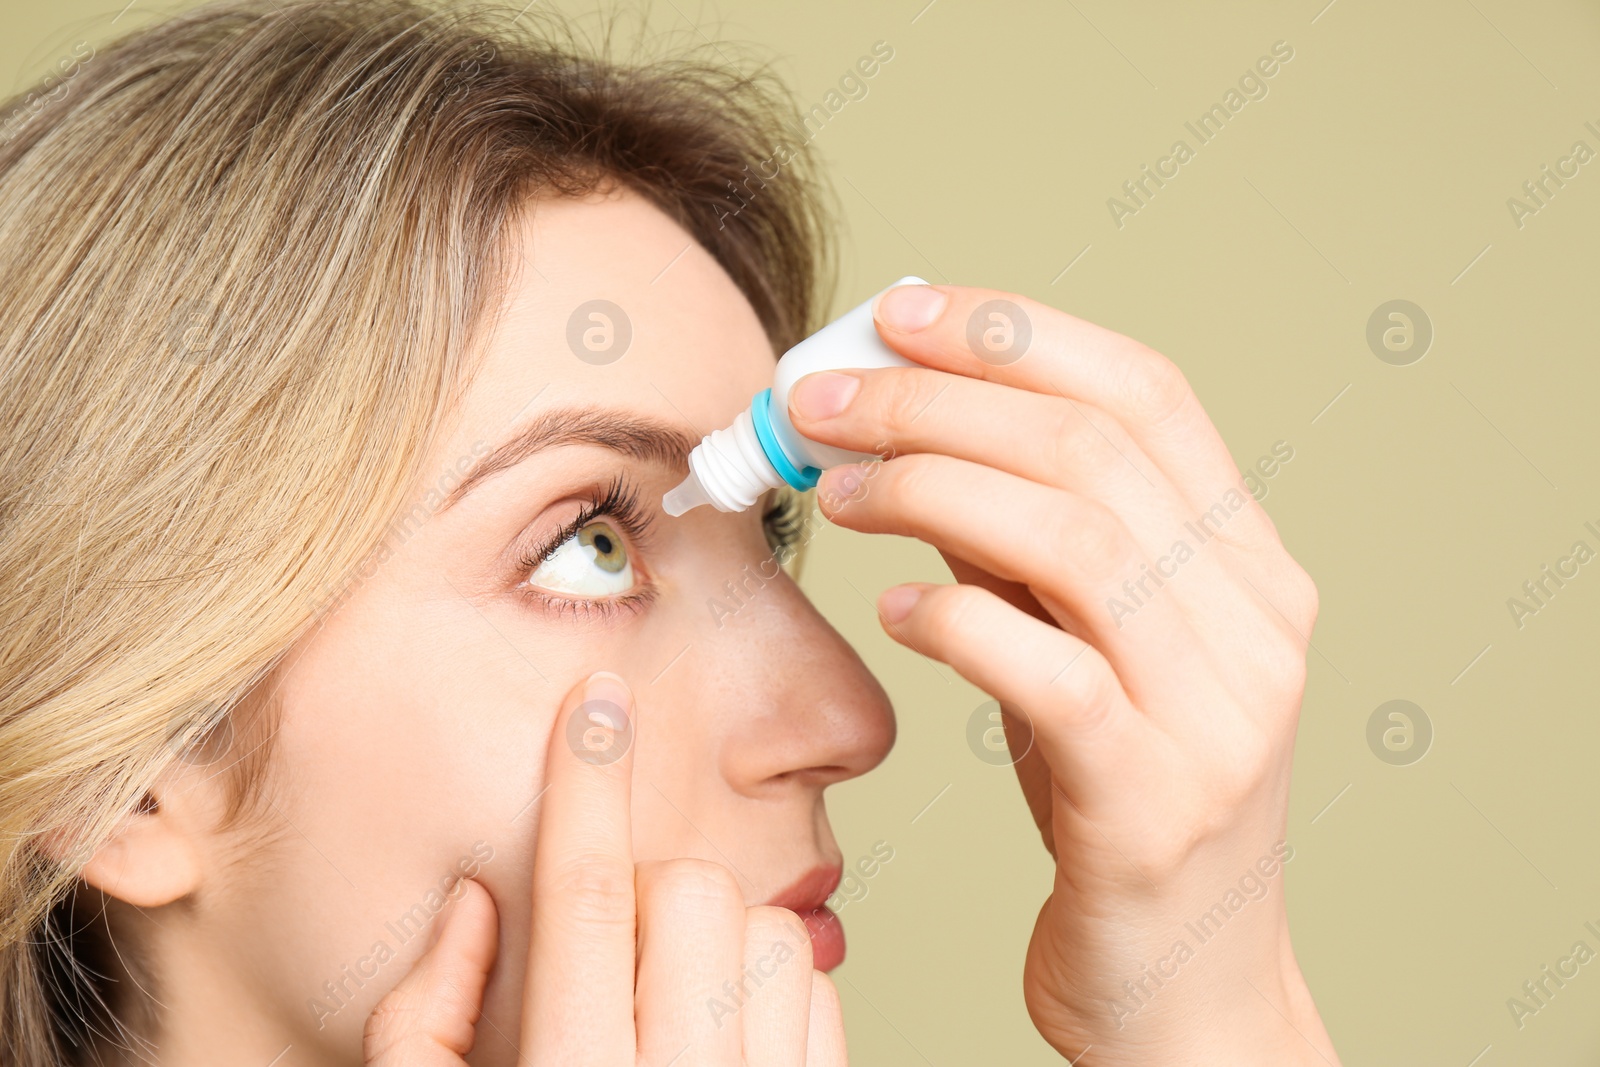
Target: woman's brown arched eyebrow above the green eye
column 633, row 436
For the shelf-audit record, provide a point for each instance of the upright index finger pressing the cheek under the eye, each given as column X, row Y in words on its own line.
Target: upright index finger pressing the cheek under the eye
column 578, row 1002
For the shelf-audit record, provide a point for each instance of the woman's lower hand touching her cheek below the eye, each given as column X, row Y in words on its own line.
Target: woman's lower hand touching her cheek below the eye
column 626, row 961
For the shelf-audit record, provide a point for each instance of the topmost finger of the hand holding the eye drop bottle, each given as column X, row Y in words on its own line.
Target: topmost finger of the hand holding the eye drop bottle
column 1017, row 342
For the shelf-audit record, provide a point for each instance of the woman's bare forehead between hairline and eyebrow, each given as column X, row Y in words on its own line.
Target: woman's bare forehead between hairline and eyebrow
column 612, row 303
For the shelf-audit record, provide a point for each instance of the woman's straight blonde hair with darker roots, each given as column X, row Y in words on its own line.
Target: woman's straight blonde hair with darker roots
column 252, row 252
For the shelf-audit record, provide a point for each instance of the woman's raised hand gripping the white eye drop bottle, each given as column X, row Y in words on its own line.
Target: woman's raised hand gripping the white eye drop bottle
column 1126, row 597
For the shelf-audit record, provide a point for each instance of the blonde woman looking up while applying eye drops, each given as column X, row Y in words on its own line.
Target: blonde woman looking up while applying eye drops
column 361, row 706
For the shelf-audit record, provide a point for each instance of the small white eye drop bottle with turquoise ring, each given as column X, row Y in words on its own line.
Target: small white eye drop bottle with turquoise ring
column 732, row 468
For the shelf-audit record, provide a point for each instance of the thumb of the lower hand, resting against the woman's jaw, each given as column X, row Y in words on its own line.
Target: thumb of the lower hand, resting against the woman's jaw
column 431, row 1018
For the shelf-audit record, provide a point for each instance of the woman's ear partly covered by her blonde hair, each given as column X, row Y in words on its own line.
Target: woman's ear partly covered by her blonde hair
column 156, row 853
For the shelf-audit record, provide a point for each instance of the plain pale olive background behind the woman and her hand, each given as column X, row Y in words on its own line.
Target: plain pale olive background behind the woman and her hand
column 1420, row 497
